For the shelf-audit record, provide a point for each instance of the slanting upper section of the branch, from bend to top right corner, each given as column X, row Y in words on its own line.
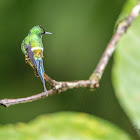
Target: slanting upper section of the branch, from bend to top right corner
column 121, row 29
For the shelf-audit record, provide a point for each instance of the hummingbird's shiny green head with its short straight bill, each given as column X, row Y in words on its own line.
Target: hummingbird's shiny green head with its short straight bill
column 38, row 30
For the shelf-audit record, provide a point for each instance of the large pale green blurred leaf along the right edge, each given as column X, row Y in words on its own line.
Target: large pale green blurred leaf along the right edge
column 126, row 71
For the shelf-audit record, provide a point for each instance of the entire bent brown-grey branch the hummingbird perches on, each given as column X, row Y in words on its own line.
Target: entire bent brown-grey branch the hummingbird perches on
column 93, row 82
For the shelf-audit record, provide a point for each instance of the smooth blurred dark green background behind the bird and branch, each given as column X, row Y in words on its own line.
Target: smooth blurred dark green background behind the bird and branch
column 81, row 30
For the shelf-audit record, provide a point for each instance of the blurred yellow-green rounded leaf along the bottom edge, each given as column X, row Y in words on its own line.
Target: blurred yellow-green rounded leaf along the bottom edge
column 63, row 126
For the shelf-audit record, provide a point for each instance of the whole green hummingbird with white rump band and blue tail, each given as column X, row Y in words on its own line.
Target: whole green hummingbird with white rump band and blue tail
column 32, row 48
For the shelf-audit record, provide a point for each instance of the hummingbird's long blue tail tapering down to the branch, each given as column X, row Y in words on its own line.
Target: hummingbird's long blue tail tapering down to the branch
column 40, row 70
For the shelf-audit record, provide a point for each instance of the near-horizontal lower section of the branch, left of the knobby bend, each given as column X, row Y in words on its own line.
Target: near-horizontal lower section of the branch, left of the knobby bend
column 60, row 87
